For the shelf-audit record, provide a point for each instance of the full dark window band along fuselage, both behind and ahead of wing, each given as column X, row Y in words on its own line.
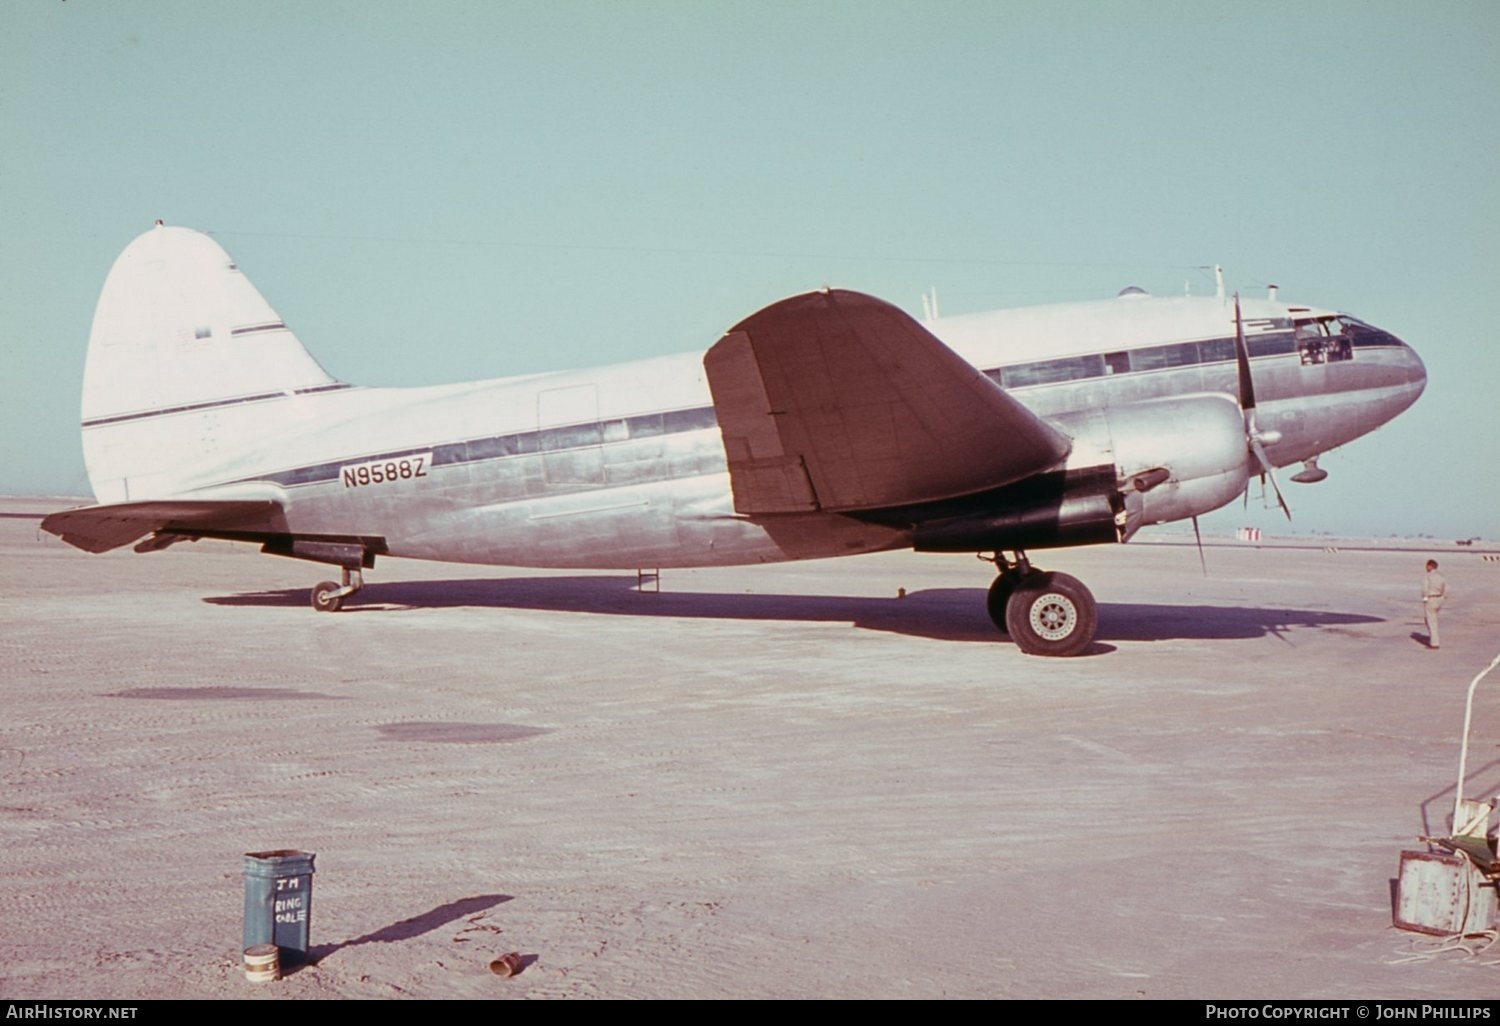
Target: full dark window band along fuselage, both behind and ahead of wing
column 674, row 422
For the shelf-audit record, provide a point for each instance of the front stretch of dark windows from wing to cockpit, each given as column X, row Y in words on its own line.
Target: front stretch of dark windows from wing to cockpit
column 1178, row 355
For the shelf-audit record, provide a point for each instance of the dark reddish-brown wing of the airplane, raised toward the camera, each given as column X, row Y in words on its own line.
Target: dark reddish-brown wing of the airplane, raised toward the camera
column 839, row 401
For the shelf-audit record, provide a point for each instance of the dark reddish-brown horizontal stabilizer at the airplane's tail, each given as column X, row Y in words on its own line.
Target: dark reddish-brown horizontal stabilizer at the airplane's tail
column 100, row 529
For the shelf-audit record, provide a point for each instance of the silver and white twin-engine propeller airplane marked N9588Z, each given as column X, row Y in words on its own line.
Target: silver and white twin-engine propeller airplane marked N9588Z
column 827, row 424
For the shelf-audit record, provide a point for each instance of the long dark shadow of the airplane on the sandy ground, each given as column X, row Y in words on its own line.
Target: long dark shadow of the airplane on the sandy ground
column 944, row 614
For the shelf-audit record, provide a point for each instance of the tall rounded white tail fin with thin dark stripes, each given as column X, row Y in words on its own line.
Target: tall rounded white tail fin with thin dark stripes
column 181, row 341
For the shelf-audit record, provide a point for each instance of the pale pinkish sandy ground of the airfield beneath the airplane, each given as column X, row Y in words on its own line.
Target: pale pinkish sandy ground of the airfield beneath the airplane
column 761, row 782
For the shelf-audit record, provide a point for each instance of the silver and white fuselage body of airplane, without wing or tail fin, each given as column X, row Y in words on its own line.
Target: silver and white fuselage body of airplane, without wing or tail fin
column 625, row 467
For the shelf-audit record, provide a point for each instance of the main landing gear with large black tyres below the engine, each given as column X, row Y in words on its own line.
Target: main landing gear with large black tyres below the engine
column 1045, row 613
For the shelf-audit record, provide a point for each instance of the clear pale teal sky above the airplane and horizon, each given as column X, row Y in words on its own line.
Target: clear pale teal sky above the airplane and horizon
column 451, row 191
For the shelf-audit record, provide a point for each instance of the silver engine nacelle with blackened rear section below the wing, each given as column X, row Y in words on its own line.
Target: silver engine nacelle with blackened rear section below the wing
column 1144, row 463
